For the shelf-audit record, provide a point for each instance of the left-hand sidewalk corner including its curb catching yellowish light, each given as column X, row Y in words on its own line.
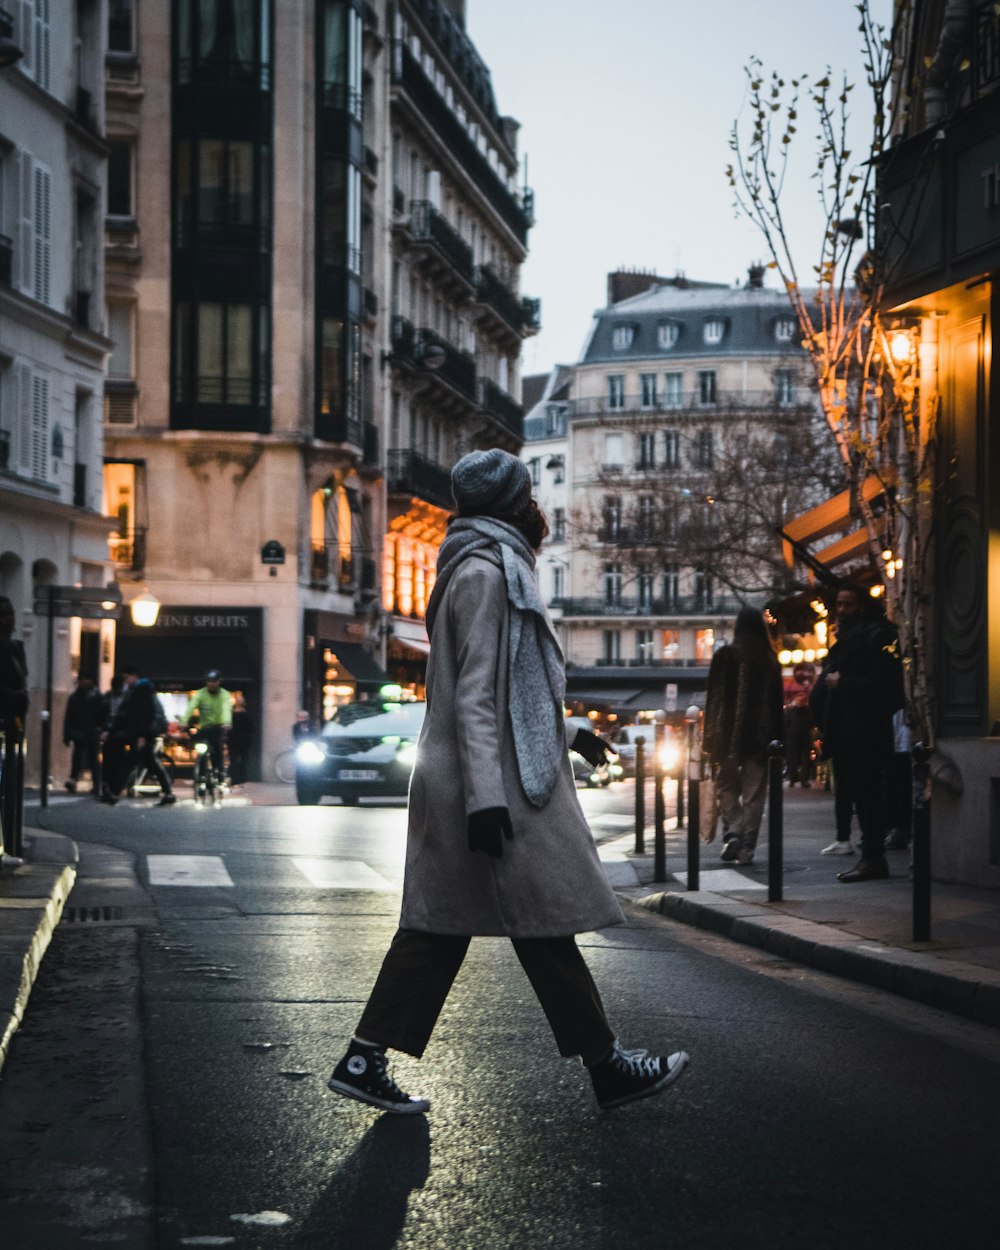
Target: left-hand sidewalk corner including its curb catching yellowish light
column 32, row 903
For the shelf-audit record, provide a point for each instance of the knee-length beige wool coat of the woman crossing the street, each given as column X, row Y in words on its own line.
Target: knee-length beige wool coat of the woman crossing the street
column 549, row 882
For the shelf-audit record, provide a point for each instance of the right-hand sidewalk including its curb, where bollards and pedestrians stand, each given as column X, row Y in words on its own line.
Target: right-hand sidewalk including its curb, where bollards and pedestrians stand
column 862, row 932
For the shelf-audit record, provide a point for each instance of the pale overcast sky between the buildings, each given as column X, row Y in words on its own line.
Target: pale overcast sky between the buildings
column 626, row 113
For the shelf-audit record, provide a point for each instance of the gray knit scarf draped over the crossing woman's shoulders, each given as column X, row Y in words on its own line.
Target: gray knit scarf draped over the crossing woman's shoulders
column 538, row 676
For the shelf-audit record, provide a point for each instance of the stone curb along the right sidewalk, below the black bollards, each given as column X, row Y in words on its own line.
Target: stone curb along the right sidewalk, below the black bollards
column 928, row 979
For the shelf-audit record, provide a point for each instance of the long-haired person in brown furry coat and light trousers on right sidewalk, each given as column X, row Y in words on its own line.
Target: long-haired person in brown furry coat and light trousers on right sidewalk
column 743, row 716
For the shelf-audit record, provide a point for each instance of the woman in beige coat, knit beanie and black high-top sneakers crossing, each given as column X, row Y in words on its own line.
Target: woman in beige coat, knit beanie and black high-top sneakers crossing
column 497, row 842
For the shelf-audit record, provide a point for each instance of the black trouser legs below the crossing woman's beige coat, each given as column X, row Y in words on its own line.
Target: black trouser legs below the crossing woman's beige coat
column 418, row 973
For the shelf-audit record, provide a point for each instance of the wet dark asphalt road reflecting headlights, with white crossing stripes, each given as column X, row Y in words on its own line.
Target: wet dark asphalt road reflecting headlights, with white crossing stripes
column 168, row 1088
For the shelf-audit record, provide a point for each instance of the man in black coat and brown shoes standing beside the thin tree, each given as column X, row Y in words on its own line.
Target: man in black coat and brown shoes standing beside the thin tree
column 858, row 692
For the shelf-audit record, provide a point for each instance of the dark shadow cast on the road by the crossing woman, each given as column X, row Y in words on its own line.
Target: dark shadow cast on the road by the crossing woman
column 366, row 1204
